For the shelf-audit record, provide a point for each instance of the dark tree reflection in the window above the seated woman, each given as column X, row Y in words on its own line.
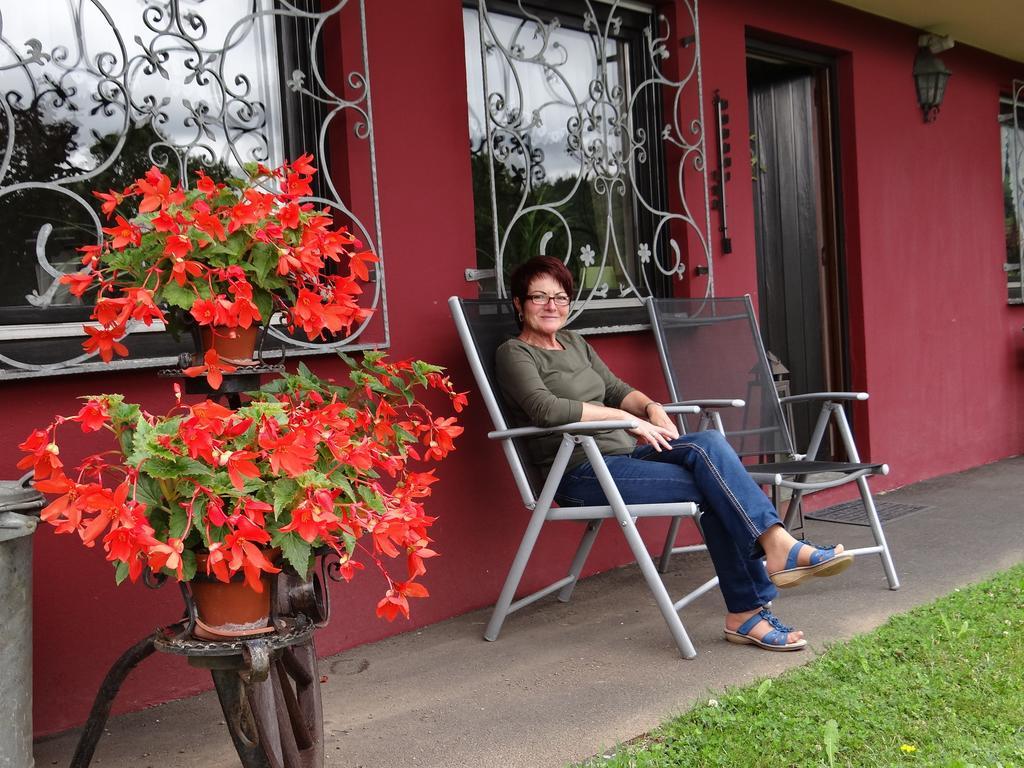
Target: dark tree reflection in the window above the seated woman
column 584, row 215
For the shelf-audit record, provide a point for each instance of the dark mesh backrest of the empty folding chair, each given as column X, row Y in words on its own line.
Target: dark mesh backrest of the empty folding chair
column 711, row 349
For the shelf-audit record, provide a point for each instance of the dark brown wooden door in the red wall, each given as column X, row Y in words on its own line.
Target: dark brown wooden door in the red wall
column 801, row 298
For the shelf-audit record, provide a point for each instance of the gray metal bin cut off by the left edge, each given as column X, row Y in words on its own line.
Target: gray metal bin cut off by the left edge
column 18, row 503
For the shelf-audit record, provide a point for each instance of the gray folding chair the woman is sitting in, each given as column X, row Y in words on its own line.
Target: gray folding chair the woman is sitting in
column 483, row 326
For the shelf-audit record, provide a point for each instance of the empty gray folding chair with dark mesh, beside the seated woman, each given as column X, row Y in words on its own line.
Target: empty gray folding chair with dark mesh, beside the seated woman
column 713, row 347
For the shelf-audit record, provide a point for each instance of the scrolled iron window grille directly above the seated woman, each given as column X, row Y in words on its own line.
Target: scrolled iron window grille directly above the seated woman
column 584, row 148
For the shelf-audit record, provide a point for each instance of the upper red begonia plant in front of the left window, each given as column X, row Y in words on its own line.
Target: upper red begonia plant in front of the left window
column 228, row 254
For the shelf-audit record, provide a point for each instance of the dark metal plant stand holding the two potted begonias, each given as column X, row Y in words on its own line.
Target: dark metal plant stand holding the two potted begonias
column 269, row 686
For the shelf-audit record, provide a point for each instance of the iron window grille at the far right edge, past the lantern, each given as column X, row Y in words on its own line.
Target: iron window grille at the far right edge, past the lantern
column 1013, row 177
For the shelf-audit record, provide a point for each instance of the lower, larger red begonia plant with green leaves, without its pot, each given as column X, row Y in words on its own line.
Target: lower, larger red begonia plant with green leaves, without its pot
column 305, row 467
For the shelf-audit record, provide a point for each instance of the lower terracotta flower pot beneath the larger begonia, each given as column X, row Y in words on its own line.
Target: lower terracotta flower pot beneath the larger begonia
column 233, row 610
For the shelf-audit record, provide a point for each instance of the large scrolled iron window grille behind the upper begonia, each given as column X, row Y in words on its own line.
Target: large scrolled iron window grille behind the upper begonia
column 96, row 92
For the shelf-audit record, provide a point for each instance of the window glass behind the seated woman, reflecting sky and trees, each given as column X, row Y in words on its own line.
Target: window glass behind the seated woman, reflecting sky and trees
column 553, row 165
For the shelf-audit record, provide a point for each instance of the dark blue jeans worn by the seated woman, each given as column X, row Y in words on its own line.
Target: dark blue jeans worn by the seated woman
column 702, row 467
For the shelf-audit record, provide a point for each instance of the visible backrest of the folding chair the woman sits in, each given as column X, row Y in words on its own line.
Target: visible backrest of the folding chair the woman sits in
column 484, row 325
